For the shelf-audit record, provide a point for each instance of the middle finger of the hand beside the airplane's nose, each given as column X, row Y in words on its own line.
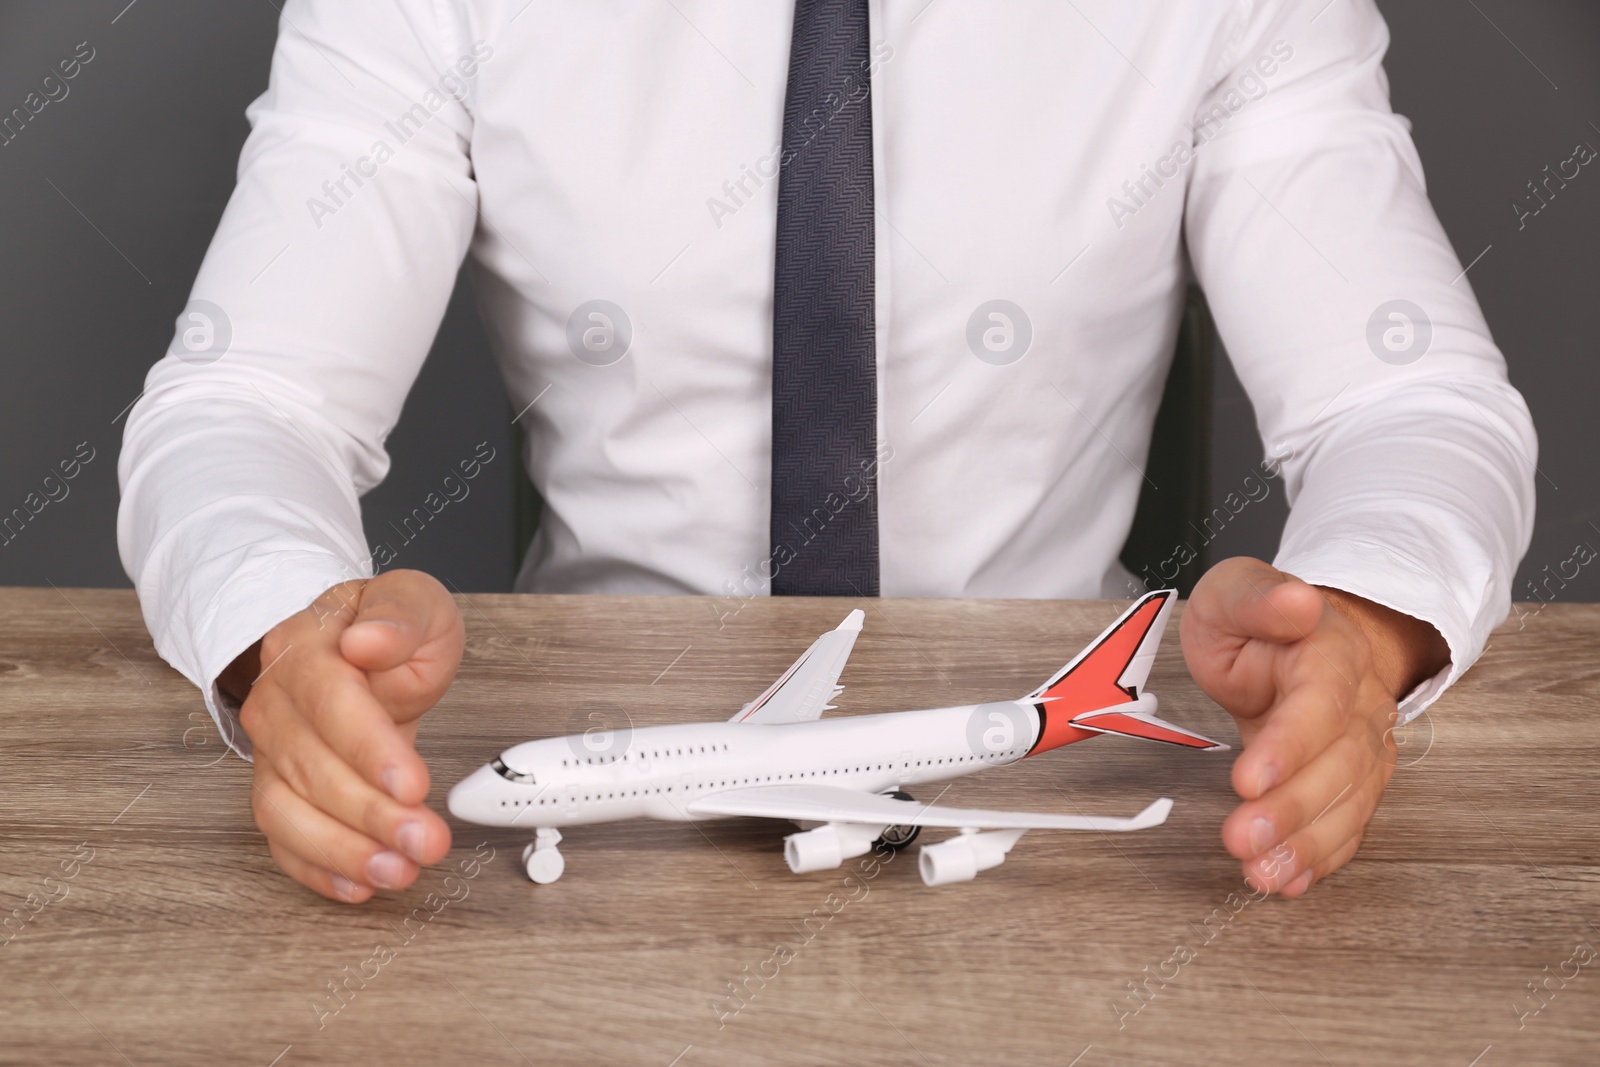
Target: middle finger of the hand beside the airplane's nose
column 318, row 773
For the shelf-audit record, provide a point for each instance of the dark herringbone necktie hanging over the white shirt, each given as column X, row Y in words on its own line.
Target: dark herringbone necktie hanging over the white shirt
column 825, row 521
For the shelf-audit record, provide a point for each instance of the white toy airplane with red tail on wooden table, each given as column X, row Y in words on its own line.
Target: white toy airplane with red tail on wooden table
column 842, row 778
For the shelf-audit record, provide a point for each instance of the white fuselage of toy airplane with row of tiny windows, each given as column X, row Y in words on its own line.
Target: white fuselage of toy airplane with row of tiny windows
column 657, row 772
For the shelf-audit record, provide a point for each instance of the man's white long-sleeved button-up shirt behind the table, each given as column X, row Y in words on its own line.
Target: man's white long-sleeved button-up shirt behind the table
column 1073, row 159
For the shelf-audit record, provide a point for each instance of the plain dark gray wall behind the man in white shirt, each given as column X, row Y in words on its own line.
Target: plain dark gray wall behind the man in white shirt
column 108, row 201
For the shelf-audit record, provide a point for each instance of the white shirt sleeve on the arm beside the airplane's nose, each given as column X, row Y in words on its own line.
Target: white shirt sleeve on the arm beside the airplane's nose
column 247, row 454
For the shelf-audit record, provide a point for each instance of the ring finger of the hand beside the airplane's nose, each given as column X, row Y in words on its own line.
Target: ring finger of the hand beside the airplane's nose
column 322, row 841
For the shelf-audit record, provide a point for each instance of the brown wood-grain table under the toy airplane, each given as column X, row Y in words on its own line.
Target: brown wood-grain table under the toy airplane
column 164, row 933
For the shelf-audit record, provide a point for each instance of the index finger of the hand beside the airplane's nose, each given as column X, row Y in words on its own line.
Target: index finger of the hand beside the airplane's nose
column 332, row 697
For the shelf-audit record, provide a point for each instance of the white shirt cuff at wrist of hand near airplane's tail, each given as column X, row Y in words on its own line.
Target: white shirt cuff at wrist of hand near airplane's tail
column 1390, row 580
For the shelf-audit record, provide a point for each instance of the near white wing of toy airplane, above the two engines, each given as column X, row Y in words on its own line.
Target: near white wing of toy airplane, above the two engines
column 836, row 804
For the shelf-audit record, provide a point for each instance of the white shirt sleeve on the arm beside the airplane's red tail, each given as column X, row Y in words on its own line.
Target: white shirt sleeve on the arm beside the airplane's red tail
column 1407, row 455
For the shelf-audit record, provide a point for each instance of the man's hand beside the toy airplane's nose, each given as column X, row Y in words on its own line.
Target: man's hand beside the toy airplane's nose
column 332, row 717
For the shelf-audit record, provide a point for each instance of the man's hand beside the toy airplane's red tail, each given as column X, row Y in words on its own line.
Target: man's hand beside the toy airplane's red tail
column 1313, row 677
